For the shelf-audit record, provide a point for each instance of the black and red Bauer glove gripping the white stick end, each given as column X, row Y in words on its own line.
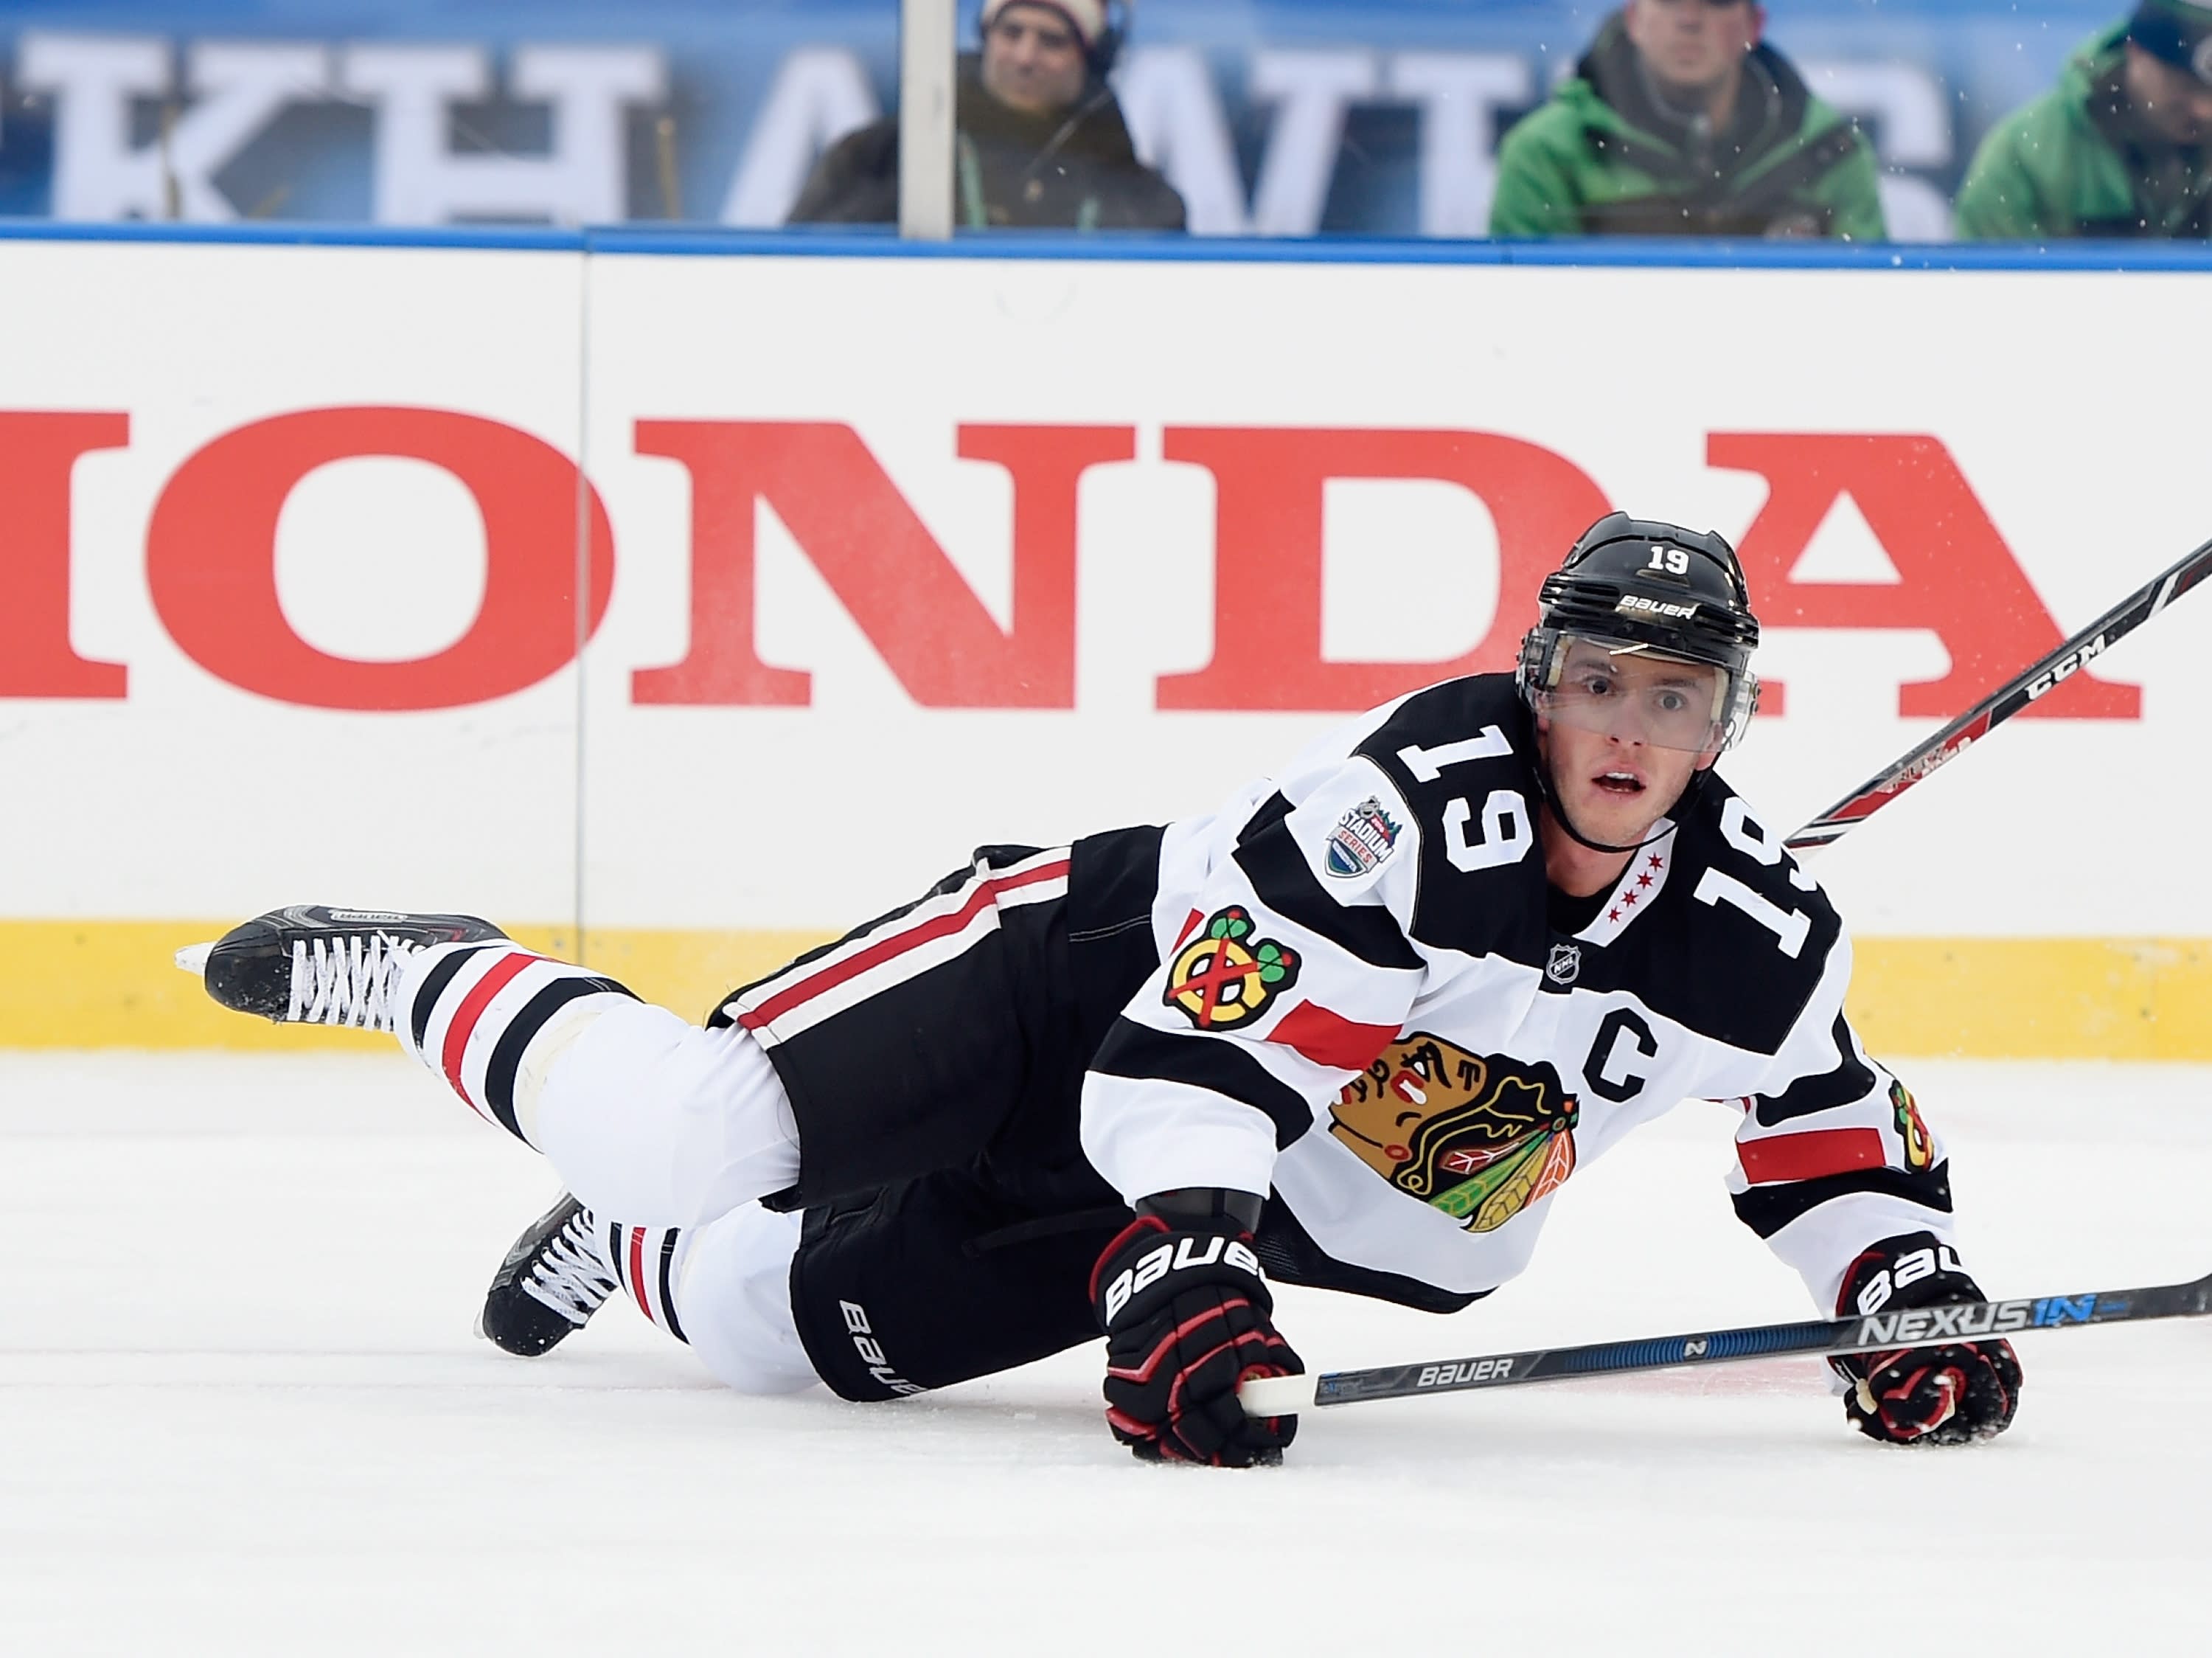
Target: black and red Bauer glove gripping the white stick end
column 1187, row 1318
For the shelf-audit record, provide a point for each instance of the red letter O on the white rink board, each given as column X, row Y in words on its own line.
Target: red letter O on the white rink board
column 211, row 559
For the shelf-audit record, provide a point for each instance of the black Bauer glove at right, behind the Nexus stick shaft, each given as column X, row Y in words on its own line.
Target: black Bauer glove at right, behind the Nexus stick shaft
column 1948, row 1396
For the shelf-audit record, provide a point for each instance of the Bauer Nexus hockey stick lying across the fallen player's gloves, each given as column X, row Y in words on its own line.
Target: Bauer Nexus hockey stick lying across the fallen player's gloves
column 1872, row 1334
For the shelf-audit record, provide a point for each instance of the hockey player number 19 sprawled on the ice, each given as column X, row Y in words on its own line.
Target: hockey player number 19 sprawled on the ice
column 1353, row 1030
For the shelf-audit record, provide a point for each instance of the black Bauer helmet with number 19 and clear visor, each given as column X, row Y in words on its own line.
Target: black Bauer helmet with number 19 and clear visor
column 1660, row 592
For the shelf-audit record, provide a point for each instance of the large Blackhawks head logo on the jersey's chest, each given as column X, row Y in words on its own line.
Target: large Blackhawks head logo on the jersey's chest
column 1479, row 1139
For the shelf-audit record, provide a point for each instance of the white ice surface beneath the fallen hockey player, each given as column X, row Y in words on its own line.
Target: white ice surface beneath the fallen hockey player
column 244, row 1413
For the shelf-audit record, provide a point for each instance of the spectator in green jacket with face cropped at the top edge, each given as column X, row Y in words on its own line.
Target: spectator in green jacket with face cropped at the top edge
column 1682, row 123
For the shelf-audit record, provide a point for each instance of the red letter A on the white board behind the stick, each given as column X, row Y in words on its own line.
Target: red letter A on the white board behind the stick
column 1959, row 577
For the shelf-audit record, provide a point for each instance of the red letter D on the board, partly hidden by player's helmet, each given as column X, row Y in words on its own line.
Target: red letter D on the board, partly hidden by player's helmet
column 1269, row 555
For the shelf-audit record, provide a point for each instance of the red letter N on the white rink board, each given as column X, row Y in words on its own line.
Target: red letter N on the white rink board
column 879, row 559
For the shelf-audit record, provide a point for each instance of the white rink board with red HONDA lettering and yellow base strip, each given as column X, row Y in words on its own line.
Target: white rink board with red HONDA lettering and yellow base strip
column 881, row 559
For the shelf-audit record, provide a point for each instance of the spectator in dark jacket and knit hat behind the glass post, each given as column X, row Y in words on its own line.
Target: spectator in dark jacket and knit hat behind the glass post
column 1041, row 136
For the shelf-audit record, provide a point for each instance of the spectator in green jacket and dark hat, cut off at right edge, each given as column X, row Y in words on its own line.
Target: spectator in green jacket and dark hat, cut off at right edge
column 2118, row 149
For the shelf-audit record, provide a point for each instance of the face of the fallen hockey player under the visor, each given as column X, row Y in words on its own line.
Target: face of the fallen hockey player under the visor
column 1625, row 734
